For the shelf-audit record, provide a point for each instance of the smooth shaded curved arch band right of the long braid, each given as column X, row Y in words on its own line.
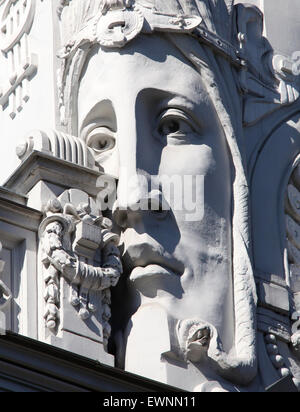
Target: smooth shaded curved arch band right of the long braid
column 270, row 177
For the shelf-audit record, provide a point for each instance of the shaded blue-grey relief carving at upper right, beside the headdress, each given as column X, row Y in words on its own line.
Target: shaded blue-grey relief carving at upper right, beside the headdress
column 268, row 79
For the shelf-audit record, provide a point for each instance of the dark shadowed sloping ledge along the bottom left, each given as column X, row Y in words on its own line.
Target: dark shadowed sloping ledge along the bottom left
column 42, row 367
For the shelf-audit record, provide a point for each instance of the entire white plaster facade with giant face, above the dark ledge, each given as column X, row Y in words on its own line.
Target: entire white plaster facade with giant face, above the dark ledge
column 61, row 258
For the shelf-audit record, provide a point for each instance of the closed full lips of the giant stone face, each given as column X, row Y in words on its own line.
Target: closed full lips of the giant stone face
column 148, row 258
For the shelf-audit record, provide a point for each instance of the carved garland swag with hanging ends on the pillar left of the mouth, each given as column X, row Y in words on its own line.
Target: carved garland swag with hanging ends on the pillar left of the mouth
column 70, row 235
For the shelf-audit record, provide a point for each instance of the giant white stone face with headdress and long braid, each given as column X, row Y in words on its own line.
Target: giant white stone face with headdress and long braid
column 154, row 105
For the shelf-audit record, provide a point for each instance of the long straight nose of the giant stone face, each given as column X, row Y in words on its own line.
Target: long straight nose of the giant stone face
column 137, row 193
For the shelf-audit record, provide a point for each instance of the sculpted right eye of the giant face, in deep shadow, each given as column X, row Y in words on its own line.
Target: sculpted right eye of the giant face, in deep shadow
column 175, row 123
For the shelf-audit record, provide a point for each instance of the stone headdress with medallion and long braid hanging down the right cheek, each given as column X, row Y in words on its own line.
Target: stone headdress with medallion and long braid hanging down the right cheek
column 208, row 46
